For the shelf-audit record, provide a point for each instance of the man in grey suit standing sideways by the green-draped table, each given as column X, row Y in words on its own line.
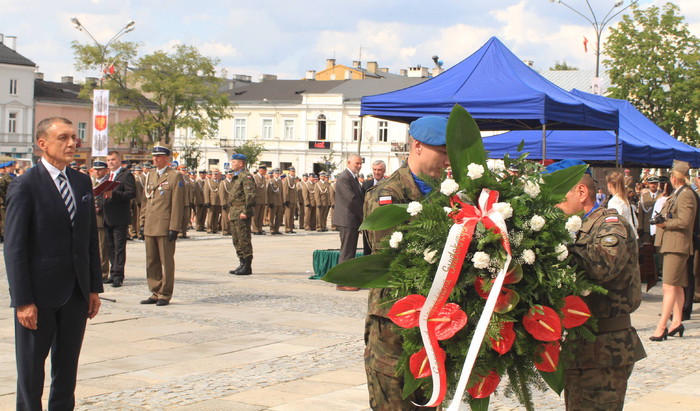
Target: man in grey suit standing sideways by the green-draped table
column 348, row 211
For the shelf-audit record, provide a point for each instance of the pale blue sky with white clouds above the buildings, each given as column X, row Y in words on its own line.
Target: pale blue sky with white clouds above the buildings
column 287, row 38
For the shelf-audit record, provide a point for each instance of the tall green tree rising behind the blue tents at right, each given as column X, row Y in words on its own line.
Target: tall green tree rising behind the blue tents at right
column 654, row 62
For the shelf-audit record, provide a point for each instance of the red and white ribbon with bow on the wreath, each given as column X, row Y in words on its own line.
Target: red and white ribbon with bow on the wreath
column 458, row 240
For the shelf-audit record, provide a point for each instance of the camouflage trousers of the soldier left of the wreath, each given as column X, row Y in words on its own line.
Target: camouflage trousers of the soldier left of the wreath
column 383, row 348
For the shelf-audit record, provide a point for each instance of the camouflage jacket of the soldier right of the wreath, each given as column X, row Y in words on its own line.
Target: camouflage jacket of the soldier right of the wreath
column 607, row 251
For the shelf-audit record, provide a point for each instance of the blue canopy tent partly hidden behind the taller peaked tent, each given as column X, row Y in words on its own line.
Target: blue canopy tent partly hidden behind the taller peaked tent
column 641, row 142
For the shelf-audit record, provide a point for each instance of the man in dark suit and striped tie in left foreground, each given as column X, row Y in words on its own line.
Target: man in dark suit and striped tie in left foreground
column 53, row 267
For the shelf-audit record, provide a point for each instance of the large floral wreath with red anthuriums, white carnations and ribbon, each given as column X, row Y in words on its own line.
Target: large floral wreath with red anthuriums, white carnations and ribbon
column 479, row 276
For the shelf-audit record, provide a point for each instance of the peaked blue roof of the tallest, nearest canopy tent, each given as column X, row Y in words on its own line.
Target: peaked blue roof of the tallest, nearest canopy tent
column 499, row 91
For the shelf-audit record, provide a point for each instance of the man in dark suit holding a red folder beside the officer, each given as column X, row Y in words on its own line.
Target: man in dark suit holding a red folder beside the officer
column 117, row 216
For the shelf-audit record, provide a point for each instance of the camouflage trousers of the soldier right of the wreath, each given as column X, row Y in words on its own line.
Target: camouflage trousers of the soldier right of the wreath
column 596, row 388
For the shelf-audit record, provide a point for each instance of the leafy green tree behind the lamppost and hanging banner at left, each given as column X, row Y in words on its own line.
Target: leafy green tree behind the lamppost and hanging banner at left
column 168, row 90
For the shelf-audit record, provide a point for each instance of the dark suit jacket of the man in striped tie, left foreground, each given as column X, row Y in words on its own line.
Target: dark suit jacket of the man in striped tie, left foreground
column 44, row 253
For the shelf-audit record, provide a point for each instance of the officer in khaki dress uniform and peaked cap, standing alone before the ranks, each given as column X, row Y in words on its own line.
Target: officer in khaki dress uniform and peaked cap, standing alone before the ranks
column 161, row 220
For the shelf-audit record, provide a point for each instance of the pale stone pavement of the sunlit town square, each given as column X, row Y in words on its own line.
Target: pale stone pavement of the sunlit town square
column 275, row 340
